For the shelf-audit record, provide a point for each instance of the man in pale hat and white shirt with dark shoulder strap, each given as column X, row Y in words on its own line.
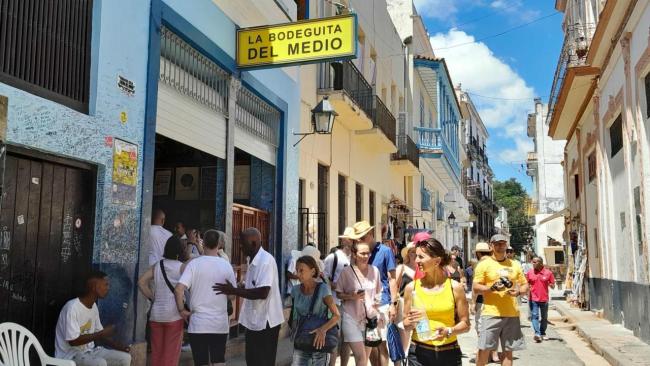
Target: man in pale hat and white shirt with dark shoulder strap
column 334, row 265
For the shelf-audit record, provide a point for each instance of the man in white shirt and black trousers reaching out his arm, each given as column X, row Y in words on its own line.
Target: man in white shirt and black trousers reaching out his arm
column 261, row 312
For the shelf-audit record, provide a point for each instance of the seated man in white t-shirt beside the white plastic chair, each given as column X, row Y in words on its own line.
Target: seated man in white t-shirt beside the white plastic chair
column 79, row 327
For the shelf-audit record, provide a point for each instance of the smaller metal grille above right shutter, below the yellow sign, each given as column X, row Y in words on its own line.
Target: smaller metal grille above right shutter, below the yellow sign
column 257, row 117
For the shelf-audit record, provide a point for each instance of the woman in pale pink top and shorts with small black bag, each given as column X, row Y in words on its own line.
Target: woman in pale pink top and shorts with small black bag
column 359, row 287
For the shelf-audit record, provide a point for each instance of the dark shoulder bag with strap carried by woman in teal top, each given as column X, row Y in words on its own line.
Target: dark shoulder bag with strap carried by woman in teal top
column 303, row 338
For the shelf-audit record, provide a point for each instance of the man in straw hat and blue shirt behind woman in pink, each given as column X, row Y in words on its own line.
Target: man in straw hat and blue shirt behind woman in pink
column 382, row 257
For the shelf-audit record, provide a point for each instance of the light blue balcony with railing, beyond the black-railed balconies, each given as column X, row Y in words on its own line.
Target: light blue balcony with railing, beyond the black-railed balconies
column 433, row 144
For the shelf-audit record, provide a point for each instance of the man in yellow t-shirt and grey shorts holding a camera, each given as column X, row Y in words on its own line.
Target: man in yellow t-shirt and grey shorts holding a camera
column 500, row 281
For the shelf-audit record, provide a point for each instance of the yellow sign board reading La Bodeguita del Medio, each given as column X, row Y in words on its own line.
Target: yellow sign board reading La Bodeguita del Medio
column 304, row 41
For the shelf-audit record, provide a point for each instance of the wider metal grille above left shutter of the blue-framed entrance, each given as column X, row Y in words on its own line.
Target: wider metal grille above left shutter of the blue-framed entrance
column 191, row 73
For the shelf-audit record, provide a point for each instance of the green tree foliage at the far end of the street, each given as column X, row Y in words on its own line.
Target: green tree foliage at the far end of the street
column 512, row 195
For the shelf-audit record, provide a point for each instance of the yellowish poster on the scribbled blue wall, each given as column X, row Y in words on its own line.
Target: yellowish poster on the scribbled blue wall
column 125, row 172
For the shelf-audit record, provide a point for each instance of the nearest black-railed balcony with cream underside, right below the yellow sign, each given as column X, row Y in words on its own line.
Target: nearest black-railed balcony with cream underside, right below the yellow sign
column 349, row 92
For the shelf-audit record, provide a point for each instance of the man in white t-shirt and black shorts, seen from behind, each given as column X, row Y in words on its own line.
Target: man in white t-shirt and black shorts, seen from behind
column 209, row 324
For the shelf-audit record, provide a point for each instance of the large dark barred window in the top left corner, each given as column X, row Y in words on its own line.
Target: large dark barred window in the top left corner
column 47, row 52
